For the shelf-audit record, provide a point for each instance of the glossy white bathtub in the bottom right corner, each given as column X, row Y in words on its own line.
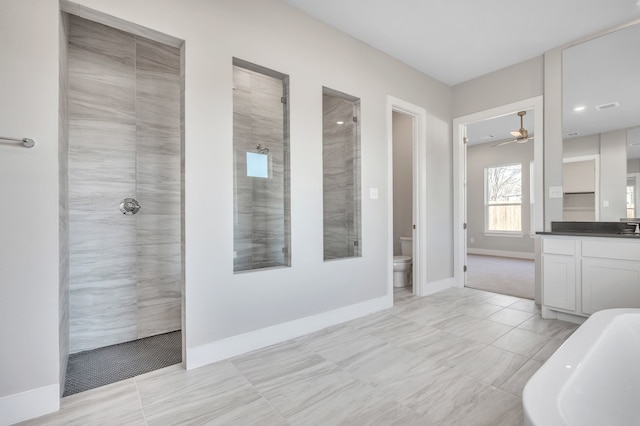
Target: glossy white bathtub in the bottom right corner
column 593, row 378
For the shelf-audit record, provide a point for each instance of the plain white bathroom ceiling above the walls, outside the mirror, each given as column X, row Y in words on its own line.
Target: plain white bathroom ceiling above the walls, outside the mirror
column 458, row 40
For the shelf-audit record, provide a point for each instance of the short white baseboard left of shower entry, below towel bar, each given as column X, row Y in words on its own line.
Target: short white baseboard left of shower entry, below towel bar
column 30, row 404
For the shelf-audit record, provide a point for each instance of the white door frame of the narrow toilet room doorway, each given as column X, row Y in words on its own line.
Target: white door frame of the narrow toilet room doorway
column 413, row 124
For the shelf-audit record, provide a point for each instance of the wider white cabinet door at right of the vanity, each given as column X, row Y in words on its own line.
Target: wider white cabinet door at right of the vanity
column 609, row 284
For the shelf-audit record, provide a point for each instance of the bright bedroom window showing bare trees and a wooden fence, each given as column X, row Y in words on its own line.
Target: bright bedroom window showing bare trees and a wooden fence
column 503, row 195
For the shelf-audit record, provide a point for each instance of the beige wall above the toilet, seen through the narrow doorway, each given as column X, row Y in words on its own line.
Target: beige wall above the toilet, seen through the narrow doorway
column 402, row 178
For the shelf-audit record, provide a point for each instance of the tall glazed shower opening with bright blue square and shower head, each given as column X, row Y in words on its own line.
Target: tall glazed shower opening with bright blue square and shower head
column 261, row 204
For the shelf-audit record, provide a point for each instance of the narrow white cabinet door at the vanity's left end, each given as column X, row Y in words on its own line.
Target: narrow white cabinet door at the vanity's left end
column 559, row 281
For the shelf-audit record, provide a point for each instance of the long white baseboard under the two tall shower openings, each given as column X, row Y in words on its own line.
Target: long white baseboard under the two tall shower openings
column 236, row 345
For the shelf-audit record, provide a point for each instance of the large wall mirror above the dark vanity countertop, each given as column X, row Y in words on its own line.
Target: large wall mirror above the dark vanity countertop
column 601, row 127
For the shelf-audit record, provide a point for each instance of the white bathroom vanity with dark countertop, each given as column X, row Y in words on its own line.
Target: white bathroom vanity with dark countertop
column 588, row 267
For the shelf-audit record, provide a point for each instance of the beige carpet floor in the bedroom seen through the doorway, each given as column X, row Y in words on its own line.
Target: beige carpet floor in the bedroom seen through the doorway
column 513, row 277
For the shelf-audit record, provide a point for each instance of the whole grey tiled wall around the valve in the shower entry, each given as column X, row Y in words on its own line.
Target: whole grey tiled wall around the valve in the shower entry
column 124, row 141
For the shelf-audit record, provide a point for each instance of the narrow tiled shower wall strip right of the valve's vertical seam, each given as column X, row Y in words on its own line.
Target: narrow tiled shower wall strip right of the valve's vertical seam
column 158, row 177
